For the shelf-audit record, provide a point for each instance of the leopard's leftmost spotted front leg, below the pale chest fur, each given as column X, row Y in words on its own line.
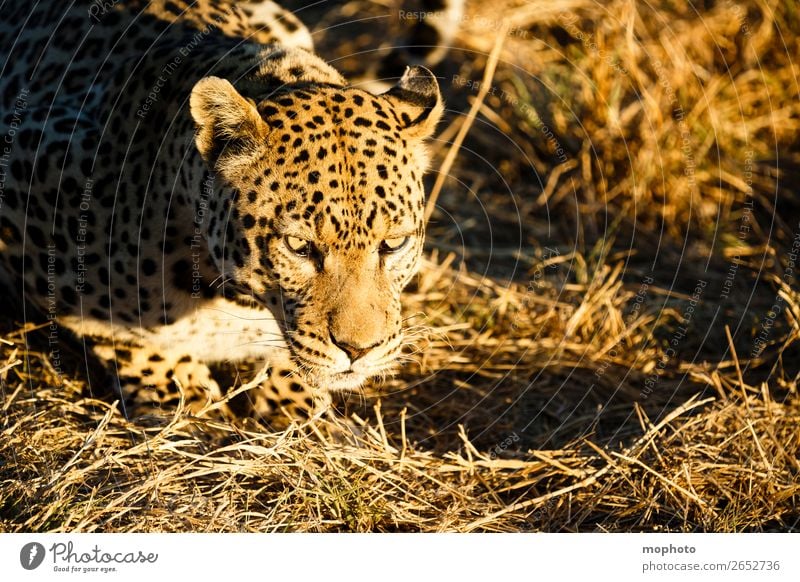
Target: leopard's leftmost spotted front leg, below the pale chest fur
column 152, row 381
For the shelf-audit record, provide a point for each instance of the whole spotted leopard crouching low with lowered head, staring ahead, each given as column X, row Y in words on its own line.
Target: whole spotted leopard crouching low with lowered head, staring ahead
column 186, row 184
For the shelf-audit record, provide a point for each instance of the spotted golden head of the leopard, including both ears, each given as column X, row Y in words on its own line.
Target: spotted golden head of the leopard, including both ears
column 320, row 212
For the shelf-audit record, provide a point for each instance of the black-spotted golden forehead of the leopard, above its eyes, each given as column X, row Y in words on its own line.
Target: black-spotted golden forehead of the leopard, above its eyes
column 335, row 168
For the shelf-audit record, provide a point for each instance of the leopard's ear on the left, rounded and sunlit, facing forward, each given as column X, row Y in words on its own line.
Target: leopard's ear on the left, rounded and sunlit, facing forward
column 227, row 123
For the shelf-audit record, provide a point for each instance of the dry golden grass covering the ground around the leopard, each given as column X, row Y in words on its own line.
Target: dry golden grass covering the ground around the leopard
column 568, row 380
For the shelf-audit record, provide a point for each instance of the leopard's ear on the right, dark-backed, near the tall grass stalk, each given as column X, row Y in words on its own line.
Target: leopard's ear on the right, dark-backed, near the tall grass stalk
column 418, row 101
